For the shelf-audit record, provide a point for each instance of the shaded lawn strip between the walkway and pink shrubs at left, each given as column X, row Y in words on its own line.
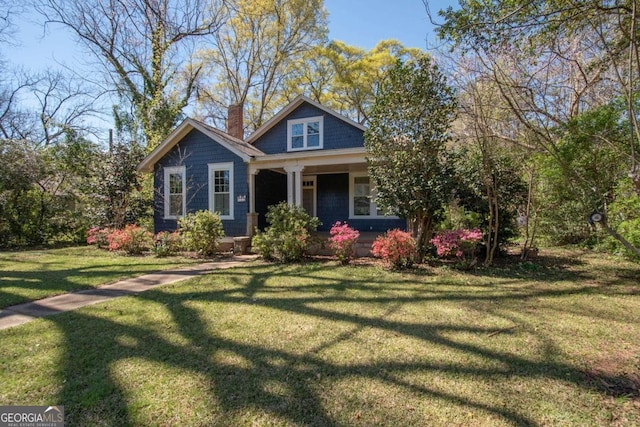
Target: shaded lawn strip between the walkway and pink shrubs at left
column 31, row 275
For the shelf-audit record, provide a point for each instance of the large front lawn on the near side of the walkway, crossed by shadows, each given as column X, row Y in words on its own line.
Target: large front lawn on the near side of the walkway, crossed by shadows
column 553, row 342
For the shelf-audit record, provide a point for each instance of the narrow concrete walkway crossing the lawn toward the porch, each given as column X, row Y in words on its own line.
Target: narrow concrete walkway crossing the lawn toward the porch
column 23, row 313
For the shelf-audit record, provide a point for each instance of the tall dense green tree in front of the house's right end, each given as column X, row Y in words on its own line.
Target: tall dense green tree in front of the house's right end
column 405, row 141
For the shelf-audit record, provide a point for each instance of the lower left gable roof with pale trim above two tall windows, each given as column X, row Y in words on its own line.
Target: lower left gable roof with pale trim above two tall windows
column 240, row 148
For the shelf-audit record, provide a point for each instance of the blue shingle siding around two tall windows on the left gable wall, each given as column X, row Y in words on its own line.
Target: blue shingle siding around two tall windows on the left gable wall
column 196, row 151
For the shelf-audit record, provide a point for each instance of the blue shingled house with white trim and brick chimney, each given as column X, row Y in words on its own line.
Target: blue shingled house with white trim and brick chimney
column 307, row 155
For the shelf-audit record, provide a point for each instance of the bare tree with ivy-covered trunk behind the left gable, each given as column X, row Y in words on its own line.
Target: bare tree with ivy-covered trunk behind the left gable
column 142, row 46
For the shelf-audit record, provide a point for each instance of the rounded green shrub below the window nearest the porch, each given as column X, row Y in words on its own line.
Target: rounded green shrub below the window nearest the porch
column 201, row 232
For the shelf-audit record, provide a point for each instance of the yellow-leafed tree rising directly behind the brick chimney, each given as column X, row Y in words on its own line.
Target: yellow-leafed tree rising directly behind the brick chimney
column 255, row 54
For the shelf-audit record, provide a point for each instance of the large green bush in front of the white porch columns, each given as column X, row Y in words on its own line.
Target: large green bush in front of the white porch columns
column 289, row 233
